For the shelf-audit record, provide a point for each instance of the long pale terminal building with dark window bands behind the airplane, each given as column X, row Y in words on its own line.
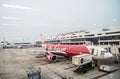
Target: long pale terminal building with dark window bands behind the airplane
column 109, row 36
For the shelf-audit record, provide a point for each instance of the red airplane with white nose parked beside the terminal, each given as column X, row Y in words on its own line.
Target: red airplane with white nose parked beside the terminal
column 55, row 50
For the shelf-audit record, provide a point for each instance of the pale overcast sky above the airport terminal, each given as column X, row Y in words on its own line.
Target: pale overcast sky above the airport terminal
column 25, row 20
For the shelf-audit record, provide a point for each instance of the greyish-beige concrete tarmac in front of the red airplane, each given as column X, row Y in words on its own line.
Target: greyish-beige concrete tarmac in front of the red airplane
column 15, row 62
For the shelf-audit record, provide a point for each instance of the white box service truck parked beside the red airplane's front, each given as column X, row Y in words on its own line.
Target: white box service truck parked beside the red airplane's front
column 83, row 62
